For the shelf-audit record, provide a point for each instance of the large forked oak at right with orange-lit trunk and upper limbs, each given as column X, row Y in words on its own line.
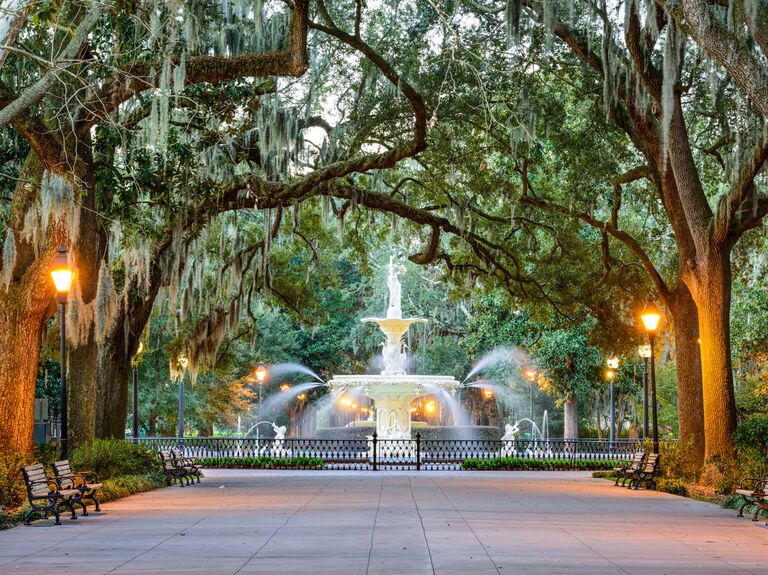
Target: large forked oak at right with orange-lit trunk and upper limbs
column 702, row 155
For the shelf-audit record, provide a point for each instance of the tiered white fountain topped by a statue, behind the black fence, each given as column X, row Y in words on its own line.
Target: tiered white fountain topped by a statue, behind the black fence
column 393, row 391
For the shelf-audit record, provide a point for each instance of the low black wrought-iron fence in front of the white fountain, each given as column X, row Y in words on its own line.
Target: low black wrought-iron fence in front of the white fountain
column 416, row 453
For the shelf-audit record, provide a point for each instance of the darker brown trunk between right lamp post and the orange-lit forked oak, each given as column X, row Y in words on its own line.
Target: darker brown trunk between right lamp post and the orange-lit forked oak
column 690, row 401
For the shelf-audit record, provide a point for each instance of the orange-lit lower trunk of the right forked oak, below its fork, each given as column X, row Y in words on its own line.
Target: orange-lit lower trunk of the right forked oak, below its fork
column 713, row 299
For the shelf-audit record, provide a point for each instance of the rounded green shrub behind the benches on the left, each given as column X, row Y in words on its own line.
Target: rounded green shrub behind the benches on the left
column 115, row 457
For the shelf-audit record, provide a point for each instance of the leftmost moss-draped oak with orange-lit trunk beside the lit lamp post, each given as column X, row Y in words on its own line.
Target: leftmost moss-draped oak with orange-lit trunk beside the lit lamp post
column 99, row 74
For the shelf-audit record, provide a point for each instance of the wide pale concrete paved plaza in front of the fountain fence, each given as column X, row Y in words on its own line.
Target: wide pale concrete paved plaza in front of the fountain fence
column 324, row 522
